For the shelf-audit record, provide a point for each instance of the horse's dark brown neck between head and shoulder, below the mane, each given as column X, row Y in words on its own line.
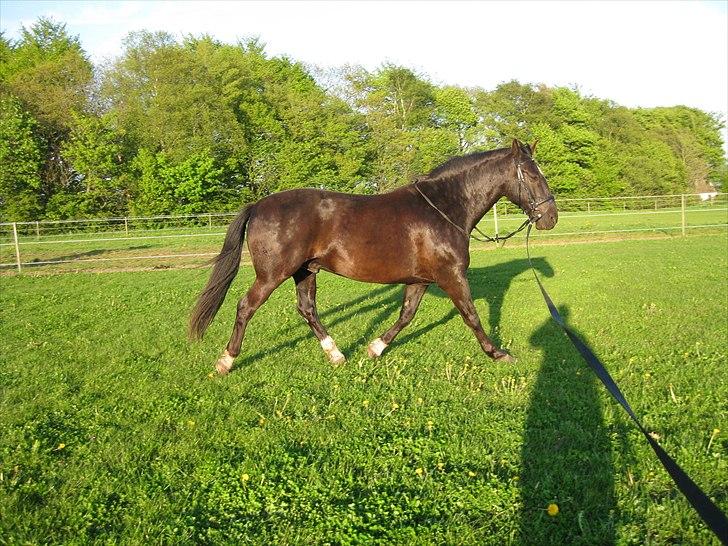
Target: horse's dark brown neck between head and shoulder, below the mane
column 466, row 197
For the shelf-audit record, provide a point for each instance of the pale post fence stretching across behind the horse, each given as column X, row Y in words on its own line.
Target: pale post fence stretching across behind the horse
column 191, row 240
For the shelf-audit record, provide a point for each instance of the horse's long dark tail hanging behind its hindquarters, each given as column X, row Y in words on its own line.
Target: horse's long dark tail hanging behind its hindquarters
column 223, row 273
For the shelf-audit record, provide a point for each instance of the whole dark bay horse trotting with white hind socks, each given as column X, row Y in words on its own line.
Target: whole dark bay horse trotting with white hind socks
column 415, row 235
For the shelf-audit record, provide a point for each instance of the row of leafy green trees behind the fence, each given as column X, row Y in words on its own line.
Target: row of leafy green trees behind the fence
column 194, row 125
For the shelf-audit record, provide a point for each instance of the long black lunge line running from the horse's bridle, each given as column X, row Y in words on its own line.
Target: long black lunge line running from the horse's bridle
column 711, row 514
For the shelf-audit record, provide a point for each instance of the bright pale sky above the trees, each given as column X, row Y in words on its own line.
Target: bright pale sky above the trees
column 652, row 53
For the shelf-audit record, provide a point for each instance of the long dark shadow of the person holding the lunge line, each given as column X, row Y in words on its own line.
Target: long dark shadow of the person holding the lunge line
column 566, row 453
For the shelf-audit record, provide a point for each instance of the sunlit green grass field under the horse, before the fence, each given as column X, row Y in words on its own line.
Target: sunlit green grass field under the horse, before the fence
column 114, row 431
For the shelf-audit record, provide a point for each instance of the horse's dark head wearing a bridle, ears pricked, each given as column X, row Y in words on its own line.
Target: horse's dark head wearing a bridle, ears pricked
column 528, row 187
